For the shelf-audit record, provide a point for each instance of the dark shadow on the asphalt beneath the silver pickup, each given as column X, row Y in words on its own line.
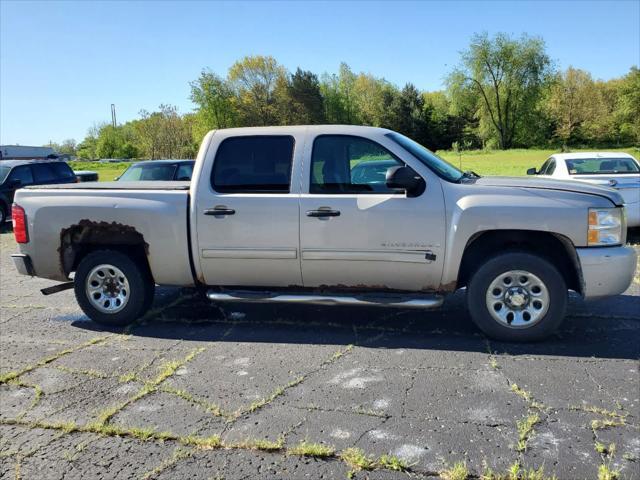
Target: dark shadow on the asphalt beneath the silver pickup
column 180, row 315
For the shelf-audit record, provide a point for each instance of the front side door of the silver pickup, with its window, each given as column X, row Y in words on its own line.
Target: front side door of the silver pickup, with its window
column 355, row 232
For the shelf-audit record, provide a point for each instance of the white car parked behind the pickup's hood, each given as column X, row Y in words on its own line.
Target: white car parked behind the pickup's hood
column 613, row 169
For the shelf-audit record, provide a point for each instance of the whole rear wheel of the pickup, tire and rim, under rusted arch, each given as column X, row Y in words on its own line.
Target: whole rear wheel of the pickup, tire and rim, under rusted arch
column 113, row 289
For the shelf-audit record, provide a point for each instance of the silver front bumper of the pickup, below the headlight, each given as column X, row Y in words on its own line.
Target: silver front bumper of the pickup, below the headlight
column 606, row 271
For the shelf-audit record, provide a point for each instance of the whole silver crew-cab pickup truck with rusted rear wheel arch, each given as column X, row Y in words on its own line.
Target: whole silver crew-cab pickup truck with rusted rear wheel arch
column 338, row 215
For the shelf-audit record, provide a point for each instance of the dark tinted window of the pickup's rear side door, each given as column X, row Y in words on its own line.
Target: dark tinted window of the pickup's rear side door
column 253, row 164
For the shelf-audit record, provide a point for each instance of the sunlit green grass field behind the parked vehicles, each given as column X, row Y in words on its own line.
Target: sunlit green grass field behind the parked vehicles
column 498, row 162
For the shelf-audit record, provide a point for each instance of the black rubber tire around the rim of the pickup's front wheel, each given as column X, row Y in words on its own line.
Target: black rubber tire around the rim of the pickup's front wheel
column 490, row 271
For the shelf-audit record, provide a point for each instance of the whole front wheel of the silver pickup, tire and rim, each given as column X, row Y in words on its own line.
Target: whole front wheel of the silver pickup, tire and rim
column 517, row 297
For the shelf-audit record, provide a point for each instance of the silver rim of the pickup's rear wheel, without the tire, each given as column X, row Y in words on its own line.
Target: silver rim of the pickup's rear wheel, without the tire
column 107, row 288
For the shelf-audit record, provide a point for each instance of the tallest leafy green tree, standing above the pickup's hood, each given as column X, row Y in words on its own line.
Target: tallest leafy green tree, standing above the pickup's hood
column 504, row 78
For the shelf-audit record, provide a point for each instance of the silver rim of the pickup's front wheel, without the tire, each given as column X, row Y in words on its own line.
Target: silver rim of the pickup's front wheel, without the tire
column 517, row 299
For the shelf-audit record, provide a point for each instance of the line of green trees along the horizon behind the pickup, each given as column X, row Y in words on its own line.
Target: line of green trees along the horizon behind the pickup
column 505, row 92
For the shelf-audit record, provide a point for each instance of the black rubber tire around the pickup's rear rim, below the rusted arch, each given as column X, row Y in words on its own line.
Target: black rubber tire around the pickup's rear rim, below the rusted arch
column 140, row 285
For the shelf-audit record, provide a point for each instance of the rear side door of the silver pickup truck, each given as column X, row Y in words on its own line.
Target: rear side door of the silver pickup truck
column 247, row 211
